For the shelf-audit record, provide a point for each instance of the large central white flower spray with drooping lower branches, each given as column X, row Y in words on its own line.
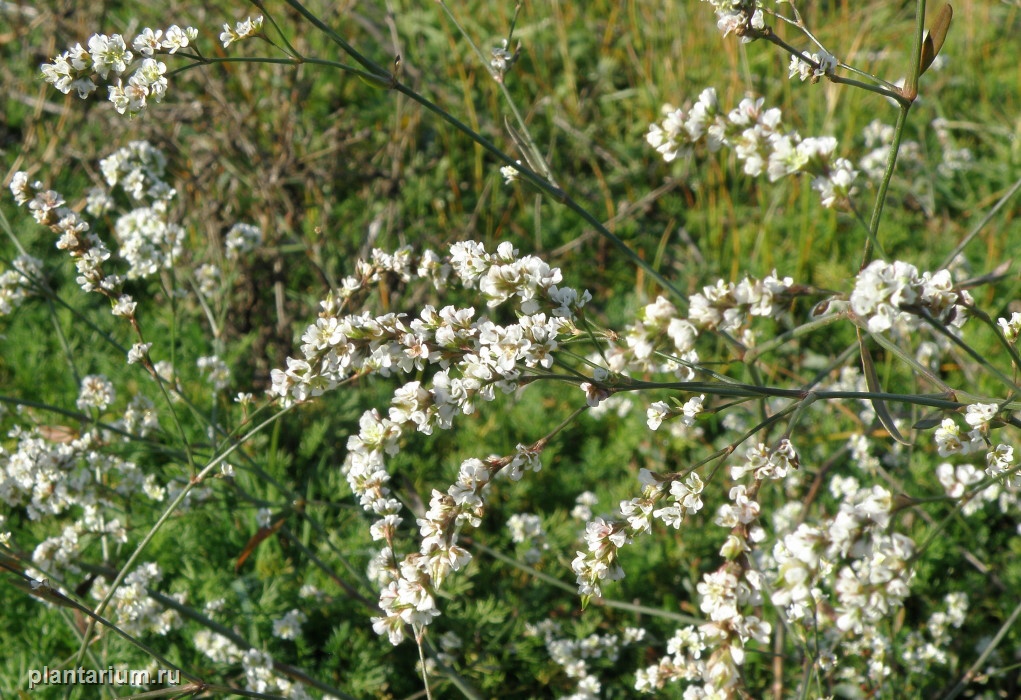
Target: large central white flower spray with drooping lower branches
column 471, row 358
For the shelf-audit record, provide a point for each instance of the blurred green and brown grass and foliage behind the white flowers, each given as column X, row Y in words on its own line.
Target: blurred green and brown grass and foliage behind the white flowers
column 331, row 168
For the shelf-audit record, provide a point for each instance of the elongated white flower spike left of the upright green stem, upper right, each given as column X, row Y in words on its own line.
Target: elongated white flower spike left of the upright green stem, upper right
column 760, row 143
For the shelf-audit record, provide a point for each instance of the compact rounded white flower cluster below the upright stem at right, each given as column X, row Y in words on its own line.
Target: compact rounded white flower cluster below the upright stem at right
column 892, row 295
